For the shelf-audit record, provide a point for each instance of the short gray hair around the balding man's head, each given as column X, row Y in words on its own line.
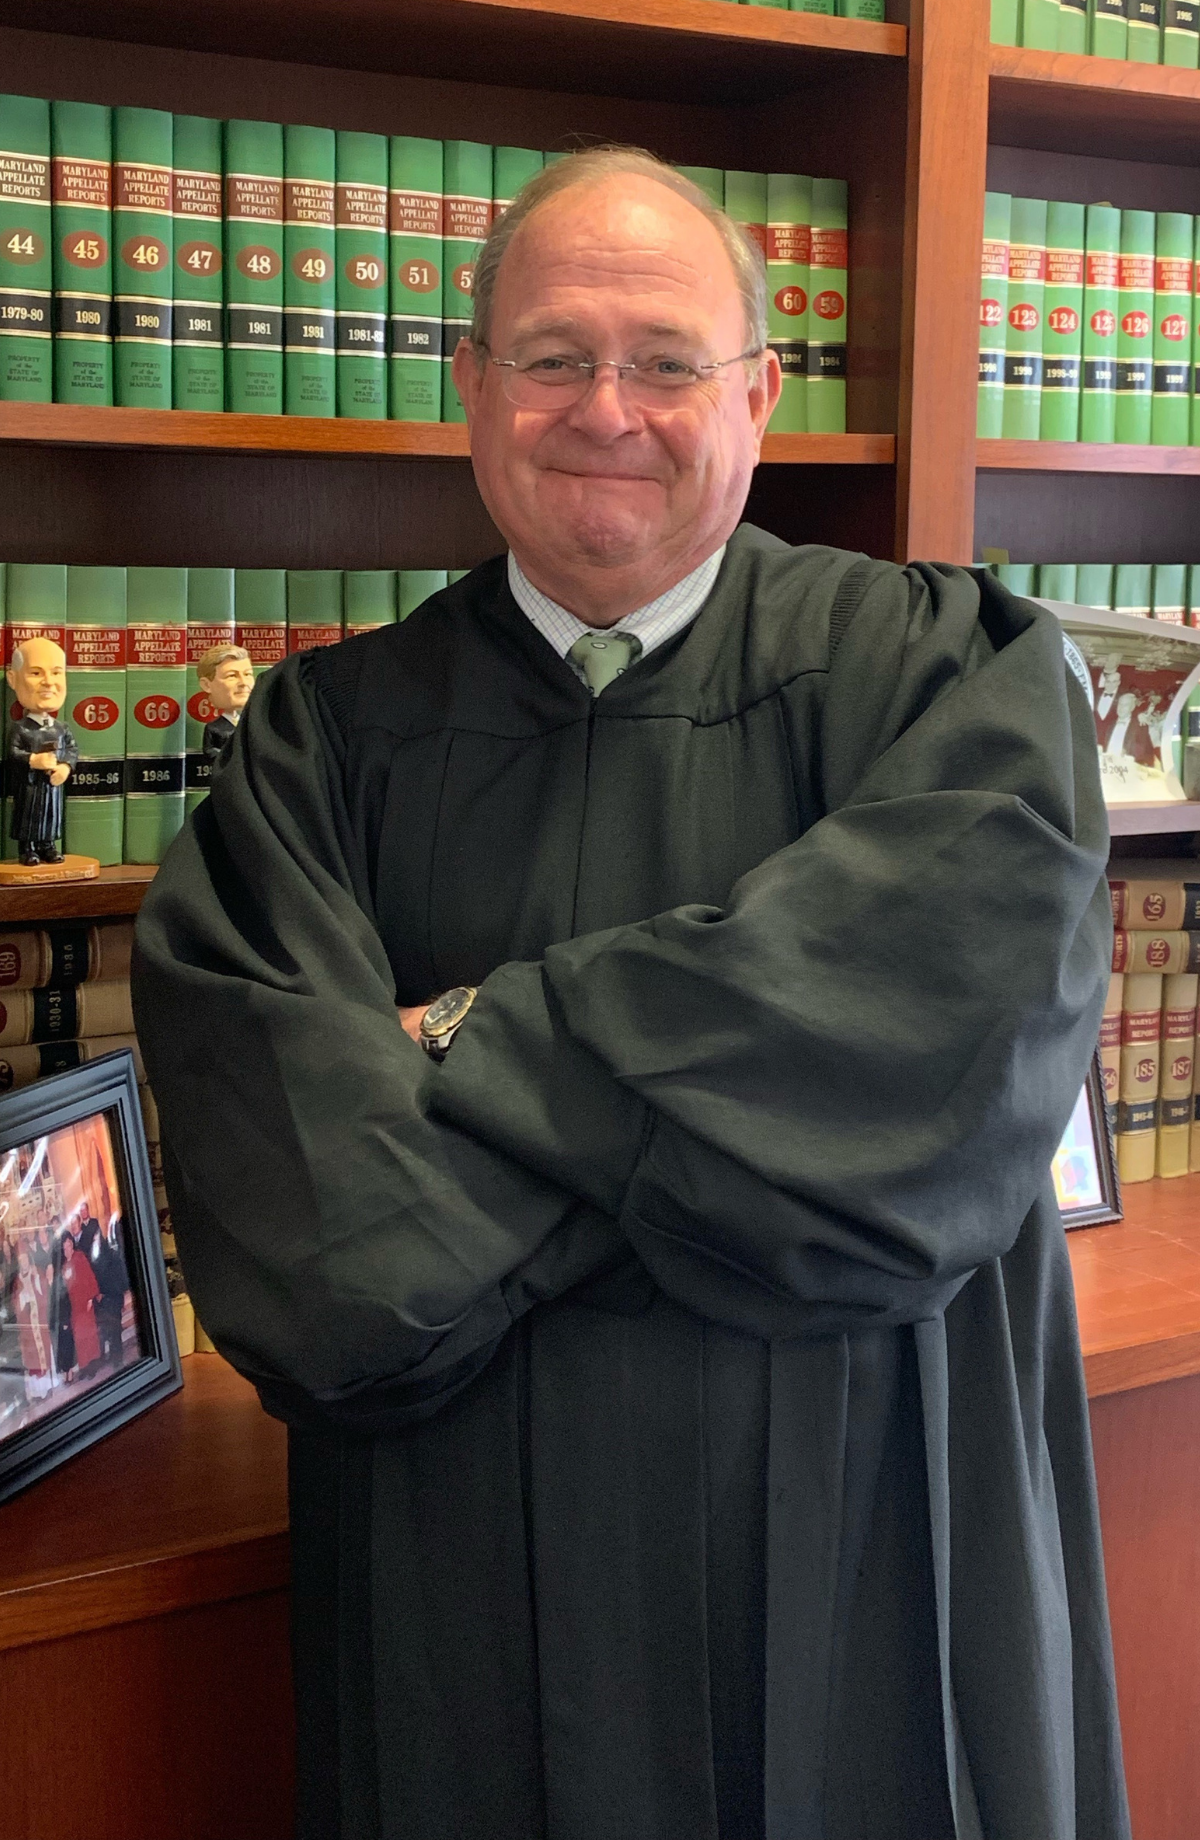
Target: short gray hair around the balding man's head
column 590, row 168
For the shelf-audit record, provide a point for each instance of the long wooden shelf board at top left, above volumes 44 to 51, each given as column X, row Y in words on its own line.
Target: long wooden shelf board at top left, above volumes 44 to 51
column 671, row 49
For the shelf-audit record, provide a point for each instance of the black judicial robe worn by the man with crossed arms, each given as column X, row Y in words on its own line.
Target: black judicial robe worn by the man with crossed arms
column 687, row 1421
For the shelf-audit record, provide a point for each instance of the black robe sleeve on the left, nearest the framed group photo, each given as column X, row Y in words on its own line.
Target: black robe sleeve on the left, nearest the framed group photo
column 351, row 1256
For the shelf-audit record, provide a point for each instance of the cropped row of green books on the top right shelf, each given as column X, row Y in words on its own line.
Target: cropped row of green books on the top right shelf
column 1146, row 32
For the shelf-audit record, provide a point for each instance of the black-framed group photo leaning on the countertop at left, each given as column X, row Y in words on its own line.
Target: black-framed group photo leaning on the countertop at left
column 87, row 1339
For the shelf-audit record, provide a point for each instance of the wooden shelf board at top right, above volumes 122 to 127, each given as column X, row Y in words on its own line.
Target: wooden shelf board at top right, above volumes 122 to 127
column 1102, row 106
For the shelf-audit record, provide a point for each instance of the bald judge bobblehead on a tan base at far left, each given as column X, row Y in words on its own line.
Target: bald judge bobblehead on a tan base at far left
column 41, row 753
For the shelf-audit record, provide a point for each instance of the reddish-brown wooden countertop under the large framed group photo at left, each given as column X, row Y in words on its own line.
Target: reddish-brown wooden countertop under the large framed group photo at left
column 185, row 1506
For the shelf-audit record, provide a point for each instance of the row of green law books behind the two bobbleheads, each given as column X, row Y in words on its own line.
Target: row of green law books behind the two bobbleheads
column 133, row 639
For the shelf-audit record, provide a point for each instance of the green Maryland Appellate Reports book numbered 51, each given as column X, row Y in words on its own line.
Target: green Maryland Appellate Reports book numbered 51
column 415, row 282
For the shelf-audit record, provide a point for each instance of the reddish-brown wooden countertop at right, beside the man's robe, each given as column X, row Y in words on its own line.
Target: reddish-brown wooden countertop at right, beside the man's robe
column 1138, row 1289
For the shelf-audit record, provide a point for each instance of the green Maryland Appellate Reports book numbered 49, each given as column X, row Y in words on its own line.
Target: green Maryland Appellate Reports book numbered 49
column 310, row 273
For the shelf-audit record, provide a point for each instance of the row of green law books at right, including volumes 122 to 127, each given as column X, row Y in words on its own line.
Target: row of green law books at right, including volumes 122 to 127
column 1089, row 325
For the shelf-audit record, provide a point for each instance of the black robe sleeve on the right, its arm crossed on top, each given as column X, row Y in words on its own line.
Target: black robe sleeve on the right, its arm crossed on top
column 857, row 1072
